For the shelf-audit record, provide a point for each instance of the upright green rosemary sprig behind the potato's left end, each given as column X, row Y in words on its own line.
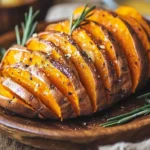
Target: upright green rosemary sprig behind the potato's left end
column 28, row 27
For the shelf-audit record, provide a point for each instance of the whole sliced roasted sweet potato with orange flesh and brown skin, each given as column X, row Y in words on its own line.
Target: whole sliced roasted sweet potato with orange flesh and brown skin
column 60, row 74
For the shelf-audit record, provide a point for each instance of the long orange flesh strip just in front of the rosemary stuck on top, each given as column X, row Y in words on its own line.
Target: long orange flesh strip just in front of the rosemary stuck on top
column 80, row 64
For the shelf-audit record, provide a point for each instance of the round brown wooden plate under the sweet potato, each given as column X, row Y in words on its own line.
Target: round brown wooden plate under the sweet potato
column 81, row 133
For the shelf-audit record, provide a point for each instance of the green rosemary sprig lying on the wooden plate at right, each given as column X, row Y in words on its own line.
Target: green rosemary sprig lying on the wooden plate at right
column 121, row 119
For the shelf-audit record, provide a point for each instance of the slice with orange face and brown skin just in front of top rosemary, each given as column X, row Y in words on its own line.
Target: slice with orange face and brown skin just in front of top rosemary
column 84, row 66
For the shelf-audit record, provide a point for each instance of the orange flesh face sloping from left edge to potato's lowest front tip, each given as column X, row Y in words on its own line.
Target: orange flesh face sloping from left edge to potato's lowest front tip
column 34, row 85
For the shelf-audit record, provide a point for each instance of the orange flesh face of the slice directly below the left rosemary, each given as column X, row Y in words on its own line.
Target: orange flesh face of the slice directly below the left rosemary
column 56, row 77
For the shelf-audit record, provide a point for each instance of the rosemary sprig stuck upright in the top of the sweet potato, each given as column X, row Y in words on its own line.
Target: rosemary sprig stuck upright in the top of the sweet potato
column 82, row 19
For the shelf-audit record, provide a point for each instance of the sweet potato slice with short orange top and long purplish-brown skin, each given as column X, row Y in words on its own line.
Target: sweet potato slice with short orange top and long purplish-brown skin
column 66, row 67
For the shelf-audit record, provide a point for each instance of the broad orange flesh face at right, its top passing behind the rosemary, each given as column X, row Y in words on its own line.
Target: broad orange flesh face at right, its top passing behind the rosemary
column 123, row 35
